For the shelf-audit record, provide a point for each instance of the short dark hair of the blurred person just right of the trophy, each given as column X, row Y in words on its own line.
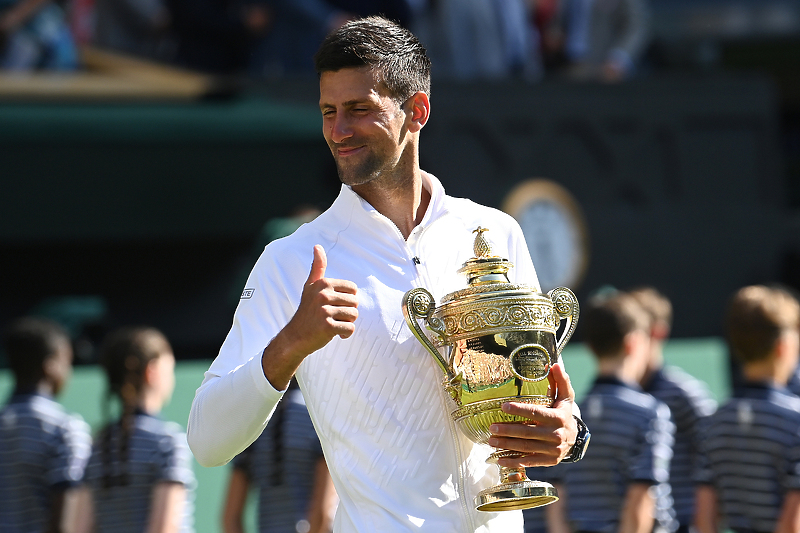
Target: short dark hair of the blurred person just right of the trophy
column 607, row 319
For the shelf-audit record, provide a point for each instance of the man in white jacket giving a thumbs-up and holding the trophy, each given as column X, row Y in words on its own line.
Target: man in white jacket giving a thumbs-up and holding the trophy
column 373, row 393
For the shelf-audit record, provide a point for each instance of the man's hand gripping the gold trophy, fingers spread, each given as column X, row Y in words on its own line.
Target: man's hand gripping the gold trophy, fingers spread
column 549, row 435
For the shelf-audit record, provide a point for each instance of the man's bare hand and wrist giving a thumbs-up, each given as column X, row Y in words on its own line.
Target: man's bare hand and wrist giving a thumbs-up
column 328, row 307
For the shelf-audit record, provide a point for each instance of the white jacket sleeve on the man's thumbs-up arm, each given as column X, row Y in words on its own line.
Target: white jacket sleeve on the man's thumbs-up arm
column 235, row 400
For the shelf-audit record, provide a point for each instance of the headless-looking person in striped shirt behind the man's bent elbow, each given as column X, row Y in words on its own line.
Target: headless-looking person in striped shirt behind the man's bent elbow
column 285, row 463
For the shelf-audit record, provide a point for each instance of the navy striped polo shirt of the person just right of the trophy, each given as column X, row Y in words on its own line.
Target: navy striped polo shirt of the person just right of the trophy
column 632, row 437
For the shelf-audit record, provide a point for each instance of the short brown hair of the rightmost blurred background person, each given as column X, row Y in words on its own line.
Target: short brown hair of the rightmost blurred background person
column 756, row 317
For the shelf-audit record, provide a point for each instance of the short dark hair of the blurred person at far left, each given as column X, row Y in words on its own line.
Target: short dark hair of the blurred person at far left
column 28, row 343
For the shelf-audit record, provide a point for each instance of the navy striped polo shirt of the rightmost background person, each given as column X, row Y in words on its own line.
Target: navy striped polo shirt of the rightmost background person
column 750, row 453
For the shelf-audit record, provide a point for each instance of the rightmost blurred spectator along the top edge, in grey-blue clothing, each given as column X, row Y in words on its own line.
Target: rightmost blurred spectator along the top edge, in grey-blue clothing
column 606, row 38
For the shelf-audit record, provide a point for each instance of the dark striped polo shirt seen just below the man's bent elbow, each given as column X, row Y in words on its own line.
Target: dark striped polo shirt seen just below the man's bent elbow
column 281, row 464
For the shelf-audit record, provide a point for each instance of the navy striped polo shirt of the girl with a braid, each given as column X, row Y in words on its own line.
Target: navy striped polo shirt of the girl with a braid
column 157, row 452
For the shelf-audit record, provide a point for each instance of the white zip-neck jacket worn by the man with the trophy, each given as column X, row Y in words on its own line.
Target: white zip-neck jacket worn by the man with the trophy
column 396, row 458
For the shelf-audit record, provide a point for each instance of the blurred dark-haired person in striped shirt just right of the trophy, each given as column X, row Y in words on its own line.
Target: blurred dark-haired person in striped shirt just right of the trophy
column 632, row 435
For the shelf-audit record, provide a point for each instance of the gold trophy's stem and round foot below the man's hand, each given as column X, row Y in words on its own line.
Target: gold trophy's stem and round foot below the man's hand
column 515, row 490
